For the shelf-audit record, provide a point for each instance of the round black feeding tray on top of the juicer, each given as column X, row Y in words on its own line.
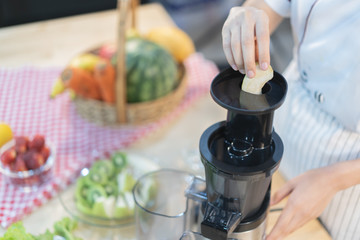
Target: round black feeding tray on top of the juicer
column 226, row 91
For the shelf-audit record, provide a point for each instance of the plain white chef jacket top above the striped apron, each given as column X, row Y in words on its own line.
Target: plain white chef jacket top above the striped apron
column 327, row 46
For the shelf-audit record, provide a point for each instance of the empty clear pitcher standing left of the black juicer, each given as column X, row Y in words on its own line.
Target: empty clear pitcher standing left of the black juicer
column 168, row 205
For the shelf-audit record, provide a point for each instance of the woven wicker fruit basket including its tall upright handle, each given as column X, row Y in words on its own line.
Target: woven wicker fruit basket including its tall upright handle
column 129, row 113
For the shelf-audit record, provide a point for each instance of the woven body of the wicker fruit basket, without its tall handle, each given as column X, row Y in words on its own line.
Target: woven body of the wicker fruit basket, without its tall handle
column 136, row 113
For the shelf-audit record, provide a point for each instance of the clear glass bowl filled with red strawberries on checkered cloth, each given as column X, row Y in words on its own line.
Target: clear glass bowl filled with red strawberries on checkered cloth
column 27, row 163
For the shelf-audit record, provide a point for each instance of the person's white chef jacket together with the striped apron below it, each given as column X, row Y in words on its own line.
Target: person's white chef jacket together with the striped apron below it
column 319, row 120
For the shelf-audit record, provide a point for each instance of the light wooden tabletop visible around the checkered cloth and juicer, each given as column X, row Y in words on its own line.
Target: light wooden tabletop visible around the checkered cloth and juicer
column 54, row 42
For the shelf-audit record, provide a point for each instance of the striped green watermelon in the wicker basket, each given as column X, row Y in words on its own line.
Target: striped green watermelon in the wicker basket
column 151, row 71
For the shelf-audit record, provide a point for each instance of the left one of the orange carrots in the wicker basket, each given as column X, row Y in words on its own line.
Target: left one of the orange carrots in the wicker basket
column 82, row 82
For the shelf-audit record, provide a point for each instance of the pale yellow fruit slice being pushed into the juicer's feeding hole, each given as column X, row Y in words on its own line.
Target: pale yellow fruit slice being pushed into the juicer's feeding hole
column 255, row 85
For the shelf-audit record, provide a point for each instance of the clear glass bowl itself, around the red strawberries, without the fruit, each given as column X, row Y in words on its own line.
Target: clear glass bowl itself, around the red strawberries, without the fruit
column 32, row 179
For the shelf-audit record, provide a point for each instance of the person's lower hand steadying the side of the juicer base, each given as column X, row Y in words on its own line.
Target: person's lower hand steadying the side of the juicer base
column 309, row 194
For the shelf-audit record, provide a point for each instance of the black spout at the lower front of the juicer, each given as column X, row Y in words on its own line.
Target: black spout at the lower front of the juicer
column 219, row 223
